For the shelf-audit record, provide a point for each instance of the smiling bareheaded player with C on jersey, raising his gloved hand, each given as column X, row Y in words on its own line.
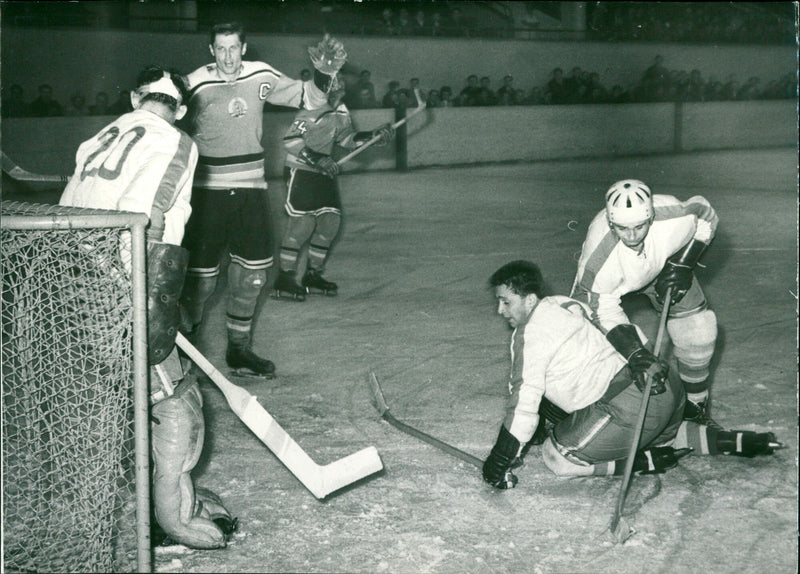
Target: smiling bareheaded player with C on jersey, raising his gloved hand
column 226, row 110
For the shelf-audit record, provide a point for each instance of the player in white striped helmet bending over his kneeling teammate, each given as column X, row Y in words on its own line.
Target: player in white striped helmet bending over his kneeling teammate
column 647, row 243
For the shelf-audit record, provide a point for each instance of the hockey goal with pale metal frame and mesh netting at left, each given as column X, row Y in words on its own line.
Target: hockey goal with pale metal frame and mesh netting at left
column 75, row 412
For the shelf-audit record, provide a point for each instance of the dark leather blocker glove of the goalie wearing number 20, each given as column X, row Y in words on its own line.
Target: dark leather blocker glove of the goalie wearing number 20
column 166, row 270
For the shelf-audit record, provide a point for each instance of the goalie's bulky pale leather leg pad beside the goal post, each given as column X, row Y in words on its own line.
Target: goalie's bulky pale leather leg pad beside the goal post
column 177, row 441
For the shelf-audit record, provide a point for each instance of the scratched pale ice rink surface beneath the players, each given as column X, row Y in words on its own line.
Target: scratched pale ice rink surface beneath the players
column 412, row 262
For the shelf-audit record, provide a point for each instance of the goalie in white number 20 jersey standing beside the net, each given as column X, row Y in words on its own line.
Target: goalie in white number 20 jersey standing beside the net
column 142, row 163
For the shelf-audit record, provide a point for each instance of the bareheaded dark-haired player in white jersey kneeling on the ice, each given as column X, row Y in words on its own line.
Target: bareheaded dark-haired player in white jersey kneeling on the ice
column 557, row 354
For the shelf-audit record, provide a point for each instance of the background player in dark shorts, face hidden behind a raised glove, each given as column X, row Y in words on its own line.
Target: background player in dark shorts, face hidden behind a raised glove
column 312, row 199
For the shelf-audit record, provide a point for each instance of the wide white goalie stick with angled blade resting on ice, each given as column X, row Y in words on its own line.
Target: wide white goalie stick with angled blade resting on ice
column 321, row 480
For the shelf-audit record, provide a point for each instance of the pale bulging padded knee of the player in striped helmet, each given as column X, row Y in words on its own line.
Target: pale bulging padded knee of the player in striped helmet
column 694, row 338
